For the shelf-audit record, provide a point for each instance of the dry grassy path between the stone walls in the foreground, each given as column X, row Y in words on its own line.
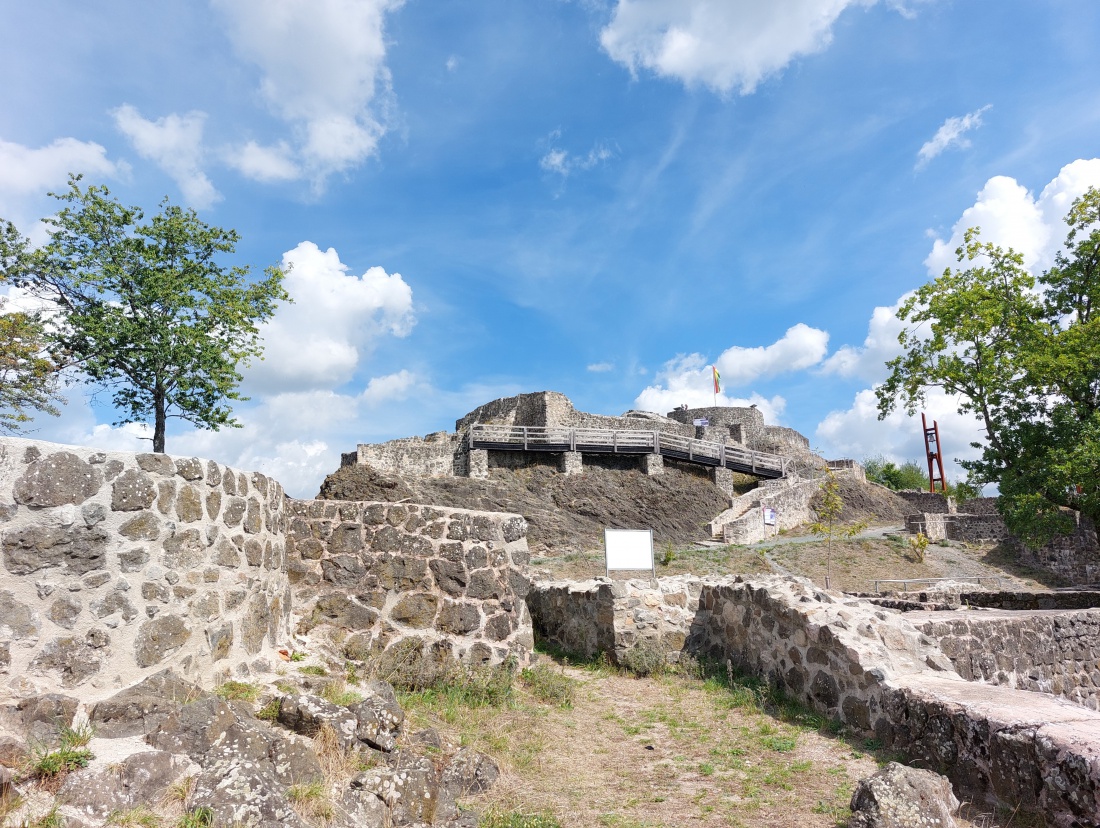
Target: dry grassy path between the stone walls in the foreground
column 659, row 753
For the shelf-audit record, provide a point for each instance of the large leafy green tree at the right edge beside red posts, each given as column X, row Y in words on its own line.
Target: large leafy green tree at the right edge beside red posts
column 1024, row 357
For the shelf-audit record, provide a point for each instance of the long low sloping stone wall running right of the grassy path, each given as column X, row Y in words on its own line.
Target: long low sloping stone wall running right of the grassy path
column 865, row 666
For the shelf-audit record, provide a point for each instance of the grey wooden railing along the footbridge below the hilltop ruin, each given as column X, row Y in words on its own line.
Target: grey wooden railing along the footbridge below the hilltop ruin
column 531, row 437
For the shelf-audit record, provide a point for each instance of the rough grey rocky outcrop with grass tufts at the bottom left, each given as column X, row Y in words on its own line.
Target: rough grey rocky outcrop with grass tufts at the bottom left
column 168, row 742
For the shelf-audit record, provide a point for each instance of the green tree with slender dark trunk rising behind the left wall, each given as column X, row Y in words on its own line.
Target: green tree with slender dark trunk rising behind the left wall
column 146, row 310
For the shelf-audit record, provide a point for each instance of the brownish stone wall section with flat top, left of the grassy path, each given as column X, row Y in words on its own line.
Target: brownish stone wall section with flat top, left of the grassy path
column 415, row 587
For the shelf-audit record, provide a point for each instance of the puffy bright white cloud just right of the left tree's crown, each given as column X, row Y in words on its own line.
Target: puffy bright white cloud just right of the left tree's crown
column 320, row 341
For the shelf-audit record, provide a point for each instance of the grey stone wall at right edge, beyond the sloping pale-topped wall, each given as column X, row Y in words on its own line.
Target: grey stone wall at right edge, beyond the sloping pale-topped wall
column 1047, row 652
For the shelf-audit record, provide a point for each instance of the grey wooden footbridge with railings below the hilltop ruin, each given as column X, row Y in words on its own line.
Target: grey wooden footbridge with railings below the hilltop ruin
column 609, row 441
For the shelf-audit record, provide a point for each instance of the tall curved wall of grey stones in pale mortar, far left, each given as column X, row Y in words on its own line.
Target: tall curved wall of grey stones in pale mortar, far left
column 114, row 564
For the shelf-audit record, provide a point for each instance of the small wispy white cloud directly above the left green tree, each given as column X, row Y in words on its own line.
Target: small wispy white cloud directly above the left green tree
column 175, row 145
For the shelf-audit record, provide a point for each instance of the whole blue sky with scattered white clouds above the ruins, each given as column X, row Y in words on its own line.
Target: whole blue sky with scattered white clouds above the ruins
column 599, row 197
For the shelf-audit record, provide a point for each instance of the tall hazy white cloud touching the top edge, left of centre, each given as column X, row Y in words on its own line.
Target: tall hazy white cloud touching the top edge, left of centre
column 324, row 72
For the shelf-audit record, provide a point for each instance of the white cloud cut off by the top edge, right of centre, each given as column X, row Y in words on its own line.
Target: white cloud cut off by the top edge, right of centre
column 723, row 45
